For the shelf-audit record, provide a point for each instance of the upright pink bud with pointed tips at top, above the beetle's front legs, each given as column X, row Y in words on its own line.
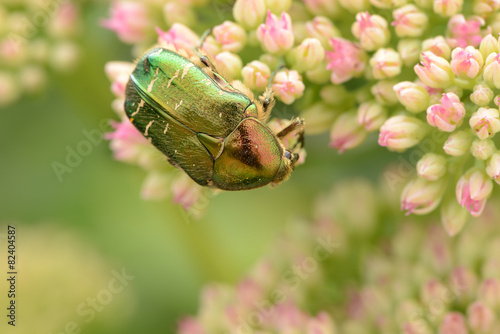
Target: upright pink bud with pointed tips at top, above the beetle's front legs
column 276, row 36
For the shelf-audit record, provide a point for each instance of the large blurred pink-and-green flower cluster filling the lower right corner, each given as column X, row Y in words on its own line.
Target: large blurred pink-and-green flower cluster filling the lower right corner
column 449, row 286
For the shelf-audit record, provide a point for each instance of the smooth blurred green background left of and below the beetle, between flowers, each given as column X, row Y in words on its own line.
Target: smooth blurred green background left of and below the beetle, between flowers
column 170, row 257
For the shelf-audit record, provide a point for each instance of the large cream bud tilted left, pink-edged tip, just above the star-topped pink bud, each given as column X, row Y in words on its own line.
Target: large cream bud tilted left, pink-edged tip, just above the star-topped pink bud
column 435, row 71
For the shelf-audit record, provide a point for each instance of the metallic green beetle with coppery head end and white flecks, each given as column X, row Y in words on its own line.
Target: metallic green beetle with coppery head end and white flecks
column 213, row 130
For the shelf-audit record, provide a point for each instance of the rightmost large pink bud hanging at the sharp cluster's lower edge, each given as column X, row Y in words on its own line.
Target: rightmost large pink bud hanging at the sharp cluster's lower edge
column 473, row 189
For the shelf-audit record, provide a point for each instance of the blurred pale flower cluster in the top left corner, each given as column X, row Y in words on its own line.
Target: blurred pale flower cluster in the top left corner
column 35, row 37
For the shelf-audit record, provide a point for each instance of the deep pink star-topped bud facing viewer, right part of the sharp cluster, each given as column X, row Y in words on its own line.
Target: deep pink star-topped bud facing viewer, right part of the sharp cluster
column 448, row 115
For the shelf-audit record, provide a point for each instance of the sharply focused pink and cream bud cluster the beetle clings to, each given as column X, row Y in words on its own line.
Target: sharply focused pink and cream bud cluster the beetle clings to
column 424, row 75
